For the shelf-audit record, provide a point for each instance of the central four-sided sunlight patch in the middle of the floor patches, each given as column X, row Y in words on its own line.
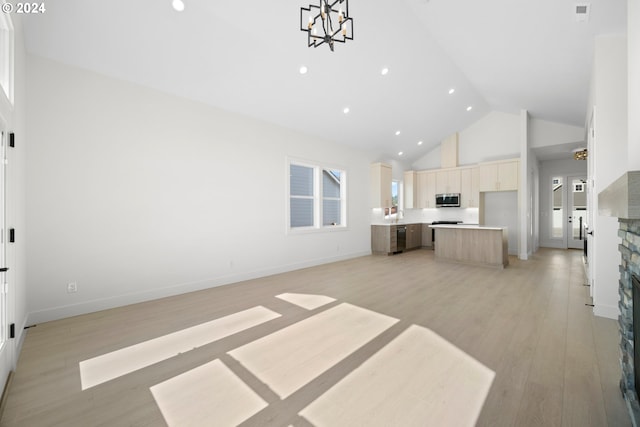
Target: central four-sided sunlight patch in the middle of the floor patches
column 290, row 358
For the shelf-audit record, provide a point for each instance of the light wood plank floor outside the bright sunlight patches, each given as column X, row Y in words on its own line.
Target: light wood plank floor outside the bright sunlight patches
column 555, row 363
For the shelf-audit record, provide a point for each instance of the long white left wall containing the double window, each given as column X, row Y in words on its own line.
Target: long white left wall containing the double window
column 135, row 194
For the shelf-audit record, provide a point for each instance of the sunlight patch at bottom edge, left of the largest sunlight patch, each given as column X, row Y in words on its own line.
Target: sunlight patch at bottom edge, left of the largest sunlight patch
column 209, row 394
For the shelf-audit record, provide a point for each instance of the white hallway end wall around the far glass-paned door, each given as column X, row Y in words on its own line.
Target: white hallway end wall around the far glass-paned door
column 548, row 170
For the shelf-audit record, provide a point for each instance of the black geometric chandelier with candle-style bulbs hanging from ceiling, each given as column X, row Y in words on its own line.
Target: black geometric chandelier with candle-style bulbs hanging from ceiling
column 327, row 23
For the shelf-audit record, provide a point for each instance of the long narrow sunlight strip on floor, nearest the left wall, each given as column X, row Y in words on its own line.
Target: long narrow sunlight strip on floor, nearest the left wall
column 112, row 365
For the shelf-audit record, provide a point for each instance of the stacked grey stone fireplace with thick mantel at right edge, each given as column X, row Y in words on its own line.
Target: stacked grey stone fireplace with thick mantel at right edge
column 622, row 200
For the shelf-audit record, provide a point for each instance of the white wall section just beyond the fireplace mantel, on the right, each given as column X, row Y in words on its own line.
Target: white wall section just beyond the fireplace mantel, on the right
column 609, row 100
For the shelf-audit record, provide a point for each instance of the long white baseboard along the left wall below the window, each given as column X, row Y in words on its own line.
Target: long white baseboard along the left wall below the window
column 92, row 306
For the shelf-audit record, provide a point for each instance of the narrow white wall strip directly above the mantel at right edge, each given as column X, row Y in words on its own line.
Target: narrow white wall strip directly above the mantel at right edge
column 633, row 51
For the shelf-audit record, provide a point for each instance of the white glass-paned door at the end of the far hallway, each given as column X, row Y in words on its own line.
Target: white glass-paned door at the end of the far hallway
column 576, row 211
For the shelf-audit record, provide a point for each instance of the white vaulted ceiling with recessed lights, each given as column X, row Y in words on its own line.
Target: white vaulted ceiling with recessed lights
column 244, row 56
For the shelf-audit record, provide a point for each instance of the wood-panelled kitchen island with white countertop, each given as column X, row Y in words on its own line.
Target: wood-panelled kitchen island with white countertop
column 473, row 244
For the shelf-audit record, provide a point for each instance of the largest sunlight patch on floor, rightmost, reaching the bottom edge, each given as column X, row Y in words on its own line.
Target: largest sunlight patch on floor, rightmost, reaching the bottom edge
column 417, row 379
